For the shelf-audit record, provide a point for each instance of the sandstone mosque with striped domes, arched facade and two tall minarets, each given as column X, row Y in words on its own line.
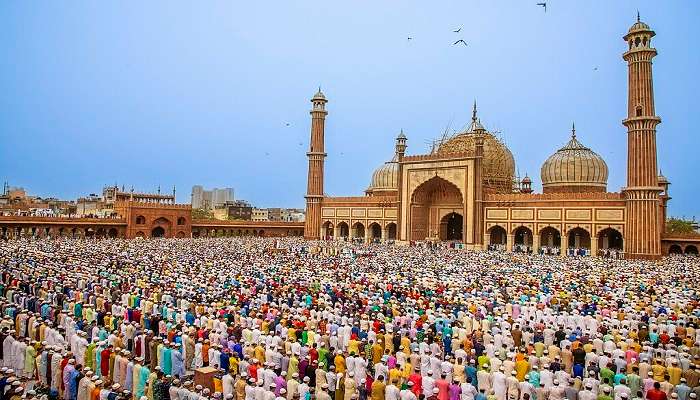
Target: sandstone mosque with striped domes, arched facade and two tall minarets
column 465, row 189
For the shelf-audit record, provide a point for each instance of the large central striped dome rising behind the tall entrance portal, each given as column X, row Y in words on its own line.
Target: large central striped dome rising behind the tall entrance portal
column 498, row 163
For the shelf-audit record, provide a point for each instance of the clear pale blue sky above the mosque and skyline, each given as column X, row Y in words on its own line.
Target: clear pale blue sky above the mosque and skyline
column 149, row 93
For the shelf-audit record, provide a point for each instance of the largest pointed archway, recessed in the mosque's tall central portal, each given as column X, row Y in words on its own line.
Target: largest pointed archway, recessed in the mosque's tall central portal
column 426, row 201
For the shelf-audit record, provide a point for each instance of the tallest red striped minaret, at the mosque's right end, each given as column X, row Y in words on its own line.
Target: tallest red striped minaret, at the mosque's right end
column 642, row 230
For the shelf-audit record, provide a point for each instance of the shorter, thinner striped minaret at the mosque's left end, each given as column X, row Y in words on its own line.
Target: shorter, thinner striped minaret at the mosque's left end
column 316, row 154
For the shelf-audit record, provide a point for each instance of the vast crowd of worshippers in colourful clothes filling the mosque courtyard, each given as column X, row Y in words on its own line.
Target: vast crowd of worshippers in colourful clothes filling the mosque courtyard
column 286, row 319
